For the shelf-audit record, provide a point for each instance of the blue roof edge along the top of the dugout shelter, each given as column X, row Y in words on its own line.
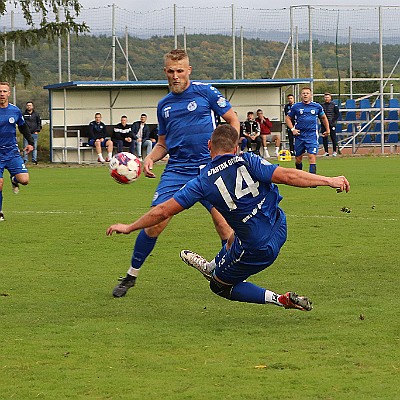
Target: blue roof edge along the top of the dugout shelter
column 164, row 83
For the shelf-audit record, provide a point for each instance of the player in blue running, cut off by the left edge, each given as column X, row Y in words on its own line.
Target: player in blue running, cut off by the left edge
column 10, row 157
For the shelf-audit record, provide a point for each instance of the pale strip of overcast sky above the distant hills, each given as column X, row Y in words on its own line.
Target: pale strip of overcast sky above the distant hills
column 160, row 4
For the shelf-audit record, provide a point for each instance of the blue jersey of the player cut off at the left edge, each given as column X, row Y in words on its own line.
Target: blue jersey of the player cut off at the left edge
column 9, row 117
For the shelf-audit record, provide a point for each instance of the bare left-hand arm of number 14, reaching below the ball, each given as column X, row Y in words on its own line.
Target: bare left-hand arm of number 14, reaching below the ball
column 153, row 217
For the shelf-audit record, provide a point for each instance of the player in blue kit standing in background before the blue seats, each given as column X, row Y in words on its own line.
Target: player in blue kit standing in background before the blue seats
column 302, row 120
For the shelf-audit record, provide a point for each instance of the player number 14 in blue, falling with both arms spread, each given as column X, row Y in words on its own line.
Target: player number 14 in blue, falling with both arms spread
column 243, row 189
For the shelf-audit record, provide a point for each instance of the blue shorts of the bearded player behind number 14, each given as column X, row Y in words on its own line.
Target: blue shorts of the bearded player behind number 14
column 171, row 181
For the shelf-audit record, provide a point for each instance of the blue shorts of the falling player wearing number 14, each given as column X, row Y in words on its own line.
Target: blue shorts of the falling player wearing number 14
column 238, row 263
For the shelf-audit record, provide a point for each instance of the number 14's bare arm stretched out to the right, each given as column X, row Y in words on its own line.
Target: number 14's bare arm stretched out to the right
column 294, row 177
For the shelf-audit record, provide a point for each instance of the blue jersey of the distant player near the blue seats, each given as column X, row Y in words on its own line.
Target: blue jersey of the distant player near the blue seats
column 306, row 116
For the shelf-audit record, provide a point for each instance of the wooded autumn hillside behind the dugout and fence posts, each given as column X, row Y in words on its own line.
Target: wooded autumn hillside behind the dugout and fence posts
column 211, row 57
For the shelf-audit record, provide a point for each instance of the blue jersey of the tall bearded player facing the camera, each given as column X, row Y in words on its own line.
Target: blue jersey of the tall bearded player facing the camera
column 187, row 120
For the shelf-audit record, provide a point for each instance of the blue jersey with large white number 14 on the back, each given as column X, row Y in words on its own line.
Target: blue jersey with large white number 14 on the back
column 240, row 188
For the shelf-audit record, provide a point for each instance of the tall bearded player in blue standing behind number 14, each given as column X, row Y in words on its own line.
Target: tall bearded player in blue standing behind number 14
column 186, row 119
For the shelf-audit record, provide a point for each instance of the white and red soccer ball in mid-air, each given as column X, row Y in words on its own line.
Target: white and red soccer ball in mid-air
column 125, row 167
